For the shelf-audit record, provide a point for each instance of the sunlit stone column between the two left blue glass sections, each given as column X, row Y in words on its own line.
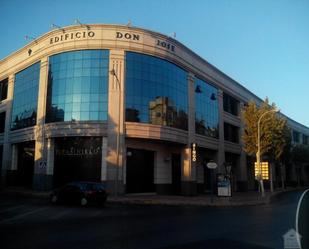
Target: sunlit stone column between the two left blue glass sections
column 41, row 179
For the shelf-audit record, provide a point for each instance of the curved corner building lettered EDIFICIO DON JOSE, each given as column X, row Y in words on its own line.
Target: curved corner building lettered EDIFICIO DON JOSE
column 121, row 105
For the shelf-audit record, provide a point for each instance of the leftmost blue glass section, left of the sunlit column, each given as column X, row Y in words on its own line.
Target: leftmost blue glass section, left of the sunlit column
column 26, row 87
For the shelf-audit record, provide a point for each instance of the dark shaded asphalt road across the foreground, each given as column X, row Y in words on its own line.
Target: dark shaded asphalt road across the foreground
column 33, row 223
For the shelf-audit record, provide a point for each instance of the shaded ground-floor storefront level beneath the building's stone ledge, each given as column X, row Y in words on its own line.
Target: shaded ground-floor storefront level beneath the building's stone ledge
column 143, row 166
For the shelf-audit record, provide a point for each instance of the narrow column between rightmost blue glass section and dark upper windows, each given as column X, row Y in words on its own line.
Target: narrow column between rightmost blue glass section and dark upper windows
column 221, row 152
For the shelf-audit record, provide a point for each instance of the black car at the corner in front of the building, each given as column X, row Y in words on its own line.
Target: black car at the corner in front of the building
column 81, row 193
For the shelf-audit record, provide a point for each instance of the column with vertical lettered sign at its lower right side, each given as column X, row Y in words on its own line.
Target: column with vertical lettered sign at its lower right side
column 188, row 178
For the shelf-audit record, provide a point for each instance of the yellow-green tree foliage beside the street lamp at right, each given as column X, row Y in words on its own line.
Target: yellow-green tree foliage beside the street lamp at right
column 273, row 130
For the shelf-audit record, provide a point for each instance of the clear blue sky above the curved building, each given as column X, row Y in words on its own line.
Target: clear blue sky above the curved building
column 262, row 44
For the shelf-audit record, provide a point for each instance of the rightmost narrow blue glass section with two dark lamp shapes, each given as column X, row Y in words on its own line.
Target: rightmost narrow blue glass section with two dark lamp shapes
column 206, row 109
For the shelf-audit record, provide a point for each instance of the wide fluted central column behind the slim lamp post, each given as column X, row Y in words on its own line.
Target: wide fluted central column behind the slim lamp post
column 116, row 132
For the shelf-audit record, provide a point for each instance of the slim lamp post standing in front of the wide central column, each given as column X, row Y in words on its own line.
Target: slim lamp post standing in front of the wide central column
column 113, row 72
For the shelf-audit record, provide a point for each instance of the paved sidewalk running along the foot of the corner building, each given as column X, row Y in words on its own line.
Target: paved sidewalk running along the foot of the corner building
column 249, row 198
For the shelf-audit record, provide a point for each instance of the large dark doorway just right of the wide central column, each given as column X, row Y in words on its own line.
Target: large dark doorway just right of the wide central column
column 140, row 171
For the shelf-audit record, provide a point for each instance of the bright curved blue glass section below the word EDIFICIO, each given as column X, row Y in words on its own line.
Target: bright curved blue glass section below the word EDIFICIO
column 78, row 86
